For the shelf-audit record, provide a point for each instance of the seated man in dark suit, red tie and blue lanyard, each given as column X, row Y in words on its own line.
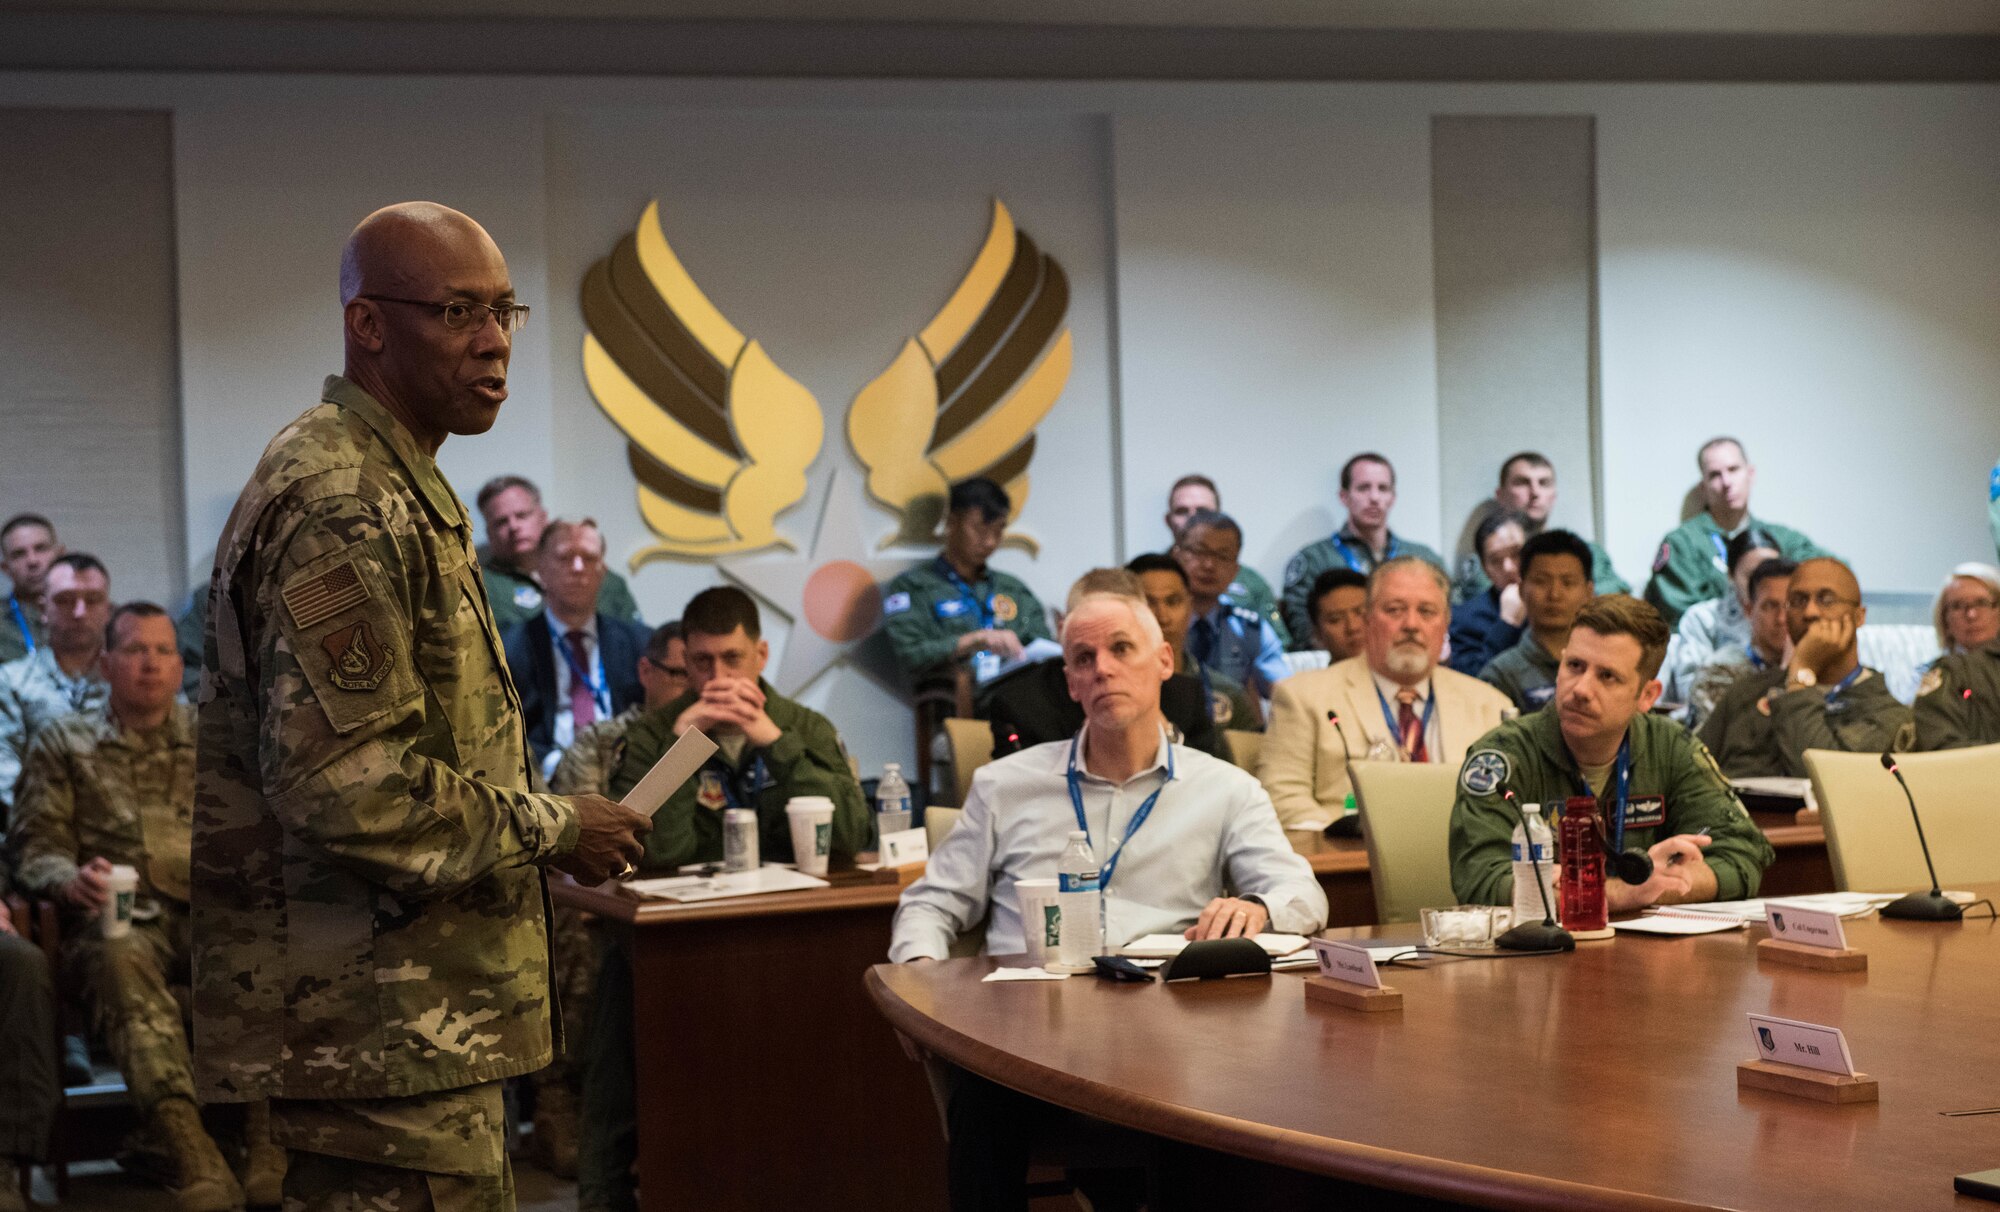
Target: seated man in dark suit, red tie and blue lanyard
column 573, row 665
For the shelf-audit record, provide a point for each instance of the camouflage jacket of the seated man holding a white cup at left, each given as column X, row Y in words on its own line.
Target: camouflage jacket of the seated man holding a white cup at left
column 93, row 789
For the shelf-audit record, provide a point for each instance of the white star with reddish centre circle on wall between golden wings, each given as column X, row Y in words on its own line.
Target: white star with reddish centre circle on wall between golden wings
column 833, row 593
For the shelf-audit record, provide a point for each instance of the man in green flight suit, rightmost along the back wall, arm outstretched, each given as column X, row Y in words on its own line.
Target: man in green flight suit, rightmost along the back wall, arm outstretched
column 1695, row 561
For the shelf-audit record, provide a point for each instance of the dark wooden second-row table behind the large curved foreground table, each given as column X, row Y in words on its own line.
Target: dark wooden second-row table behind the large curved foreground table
column 765, row 1073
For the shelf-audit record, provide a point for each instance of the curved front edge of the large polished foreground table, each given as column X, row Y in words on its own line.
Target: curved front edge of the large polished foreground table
column 1261, row 1143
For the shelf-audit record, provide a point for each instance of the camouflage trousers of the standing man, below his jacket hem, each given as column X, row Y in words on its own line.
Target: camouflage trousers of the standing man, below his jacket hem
column 441, row 1151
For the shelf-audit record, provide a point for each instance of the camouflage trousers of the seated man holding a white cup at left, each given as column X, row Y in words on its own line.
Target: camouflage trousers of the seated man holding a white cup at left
column 127, row 985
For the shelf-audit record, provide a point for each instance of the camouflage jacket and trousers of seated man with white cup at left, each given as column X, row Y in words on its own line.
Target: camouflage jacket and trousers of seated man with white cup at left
column 97, row 791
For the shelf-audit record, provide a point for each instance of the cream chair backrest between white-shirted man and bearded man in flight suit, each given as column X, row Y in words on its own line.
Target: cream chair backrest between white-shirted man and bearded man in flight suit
column 1407, row 817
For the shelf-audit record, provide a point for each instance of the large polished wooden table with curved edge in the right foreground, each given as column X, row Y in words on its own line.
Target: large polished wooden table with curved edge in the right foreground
column 1605, row 1079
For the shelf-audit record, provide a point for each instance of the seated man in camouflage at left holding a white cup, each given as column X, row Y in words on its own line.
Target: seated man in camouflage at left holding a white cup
column 107, row 787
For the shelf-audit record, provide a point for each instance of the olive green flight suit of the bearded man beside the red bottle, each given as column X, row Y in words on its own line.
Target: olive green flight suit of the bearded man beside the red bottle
column 1677, row 789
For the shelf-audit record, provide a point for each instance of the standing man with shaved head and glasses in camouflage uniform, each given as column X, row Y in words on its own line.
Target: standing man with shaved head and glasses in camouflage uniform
column 371, row 919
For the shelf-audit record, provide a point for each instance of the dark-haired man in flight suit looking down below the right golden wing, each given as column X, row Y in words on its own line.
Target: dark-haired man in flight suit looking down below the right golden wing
column 957, row 611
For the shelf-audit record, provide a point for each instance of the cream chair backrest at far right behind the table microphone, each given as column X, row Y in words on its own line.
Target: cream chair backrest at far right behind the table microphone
column 1871, row 837
